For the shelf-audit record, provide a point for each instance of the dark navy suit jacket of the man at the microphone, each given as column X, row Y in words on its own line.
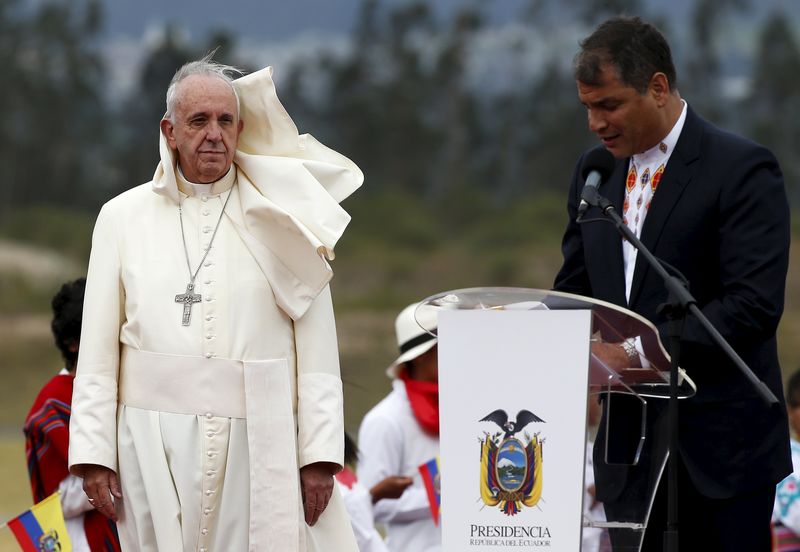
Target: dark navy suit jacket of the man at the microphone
column 720, row 215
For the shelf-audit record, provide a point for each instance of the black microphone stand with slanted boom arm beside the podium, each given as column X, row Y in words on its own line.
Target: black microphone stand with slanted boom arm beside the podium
column 679, row 302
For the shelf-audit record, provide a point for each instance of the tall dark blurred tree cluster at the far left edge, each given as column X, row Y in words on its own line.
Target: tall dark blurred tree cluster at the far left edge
column 52, row 127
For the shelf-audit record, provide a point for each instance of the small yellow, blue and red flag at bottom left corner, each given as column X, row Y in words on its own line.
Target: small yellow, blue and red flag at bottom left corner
column 42, row 527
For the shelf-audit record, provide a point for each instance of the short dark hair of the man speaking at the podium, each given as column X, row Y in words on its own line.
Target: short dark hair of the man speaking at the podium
column 635, row 48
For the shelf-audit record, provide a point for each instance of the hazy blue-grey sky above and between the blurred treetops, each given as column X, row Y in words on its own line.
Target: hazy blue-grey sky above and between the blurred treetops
column 275, row 32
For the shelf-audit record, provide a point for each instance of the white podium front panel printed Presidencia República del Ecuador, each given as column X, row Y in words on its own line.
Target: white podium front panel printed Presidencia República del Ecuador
column 513, row 390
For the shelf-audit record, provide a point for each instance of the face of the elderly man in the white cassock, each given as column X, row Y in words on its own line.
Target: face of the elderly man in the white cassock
column 206, row 128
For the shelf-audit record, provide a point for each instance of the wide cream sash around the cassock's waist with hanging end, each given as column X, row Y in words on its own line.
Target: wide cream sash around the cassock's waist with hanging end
column 258, row 391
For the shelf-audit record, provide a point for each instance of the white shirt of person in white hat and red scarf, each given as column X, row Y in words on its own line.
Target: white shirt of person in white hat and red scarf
column 392, row 442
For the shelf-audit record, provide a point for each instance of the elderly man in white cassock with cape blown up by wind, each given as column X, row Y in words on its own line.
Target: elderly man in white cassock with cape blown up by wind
column 207, row 410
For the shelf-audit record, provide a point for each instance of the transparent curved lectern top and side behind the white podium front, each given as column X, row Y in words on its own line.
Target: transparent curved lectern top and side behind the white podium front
column 627, row 451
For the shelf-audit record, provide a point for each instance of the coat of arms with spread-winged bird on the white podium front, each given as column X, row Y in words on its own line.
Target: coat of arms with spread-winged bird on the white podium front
column 511, row 465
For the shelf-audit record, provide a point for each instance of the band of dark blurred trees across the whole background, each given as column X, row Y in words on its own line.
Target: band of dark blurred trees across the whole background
column 406, row 103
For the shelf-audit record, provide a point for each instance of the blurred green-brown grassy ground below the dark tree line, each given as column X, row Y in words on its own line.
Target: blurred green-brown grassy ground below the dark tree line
column 396, row 251
